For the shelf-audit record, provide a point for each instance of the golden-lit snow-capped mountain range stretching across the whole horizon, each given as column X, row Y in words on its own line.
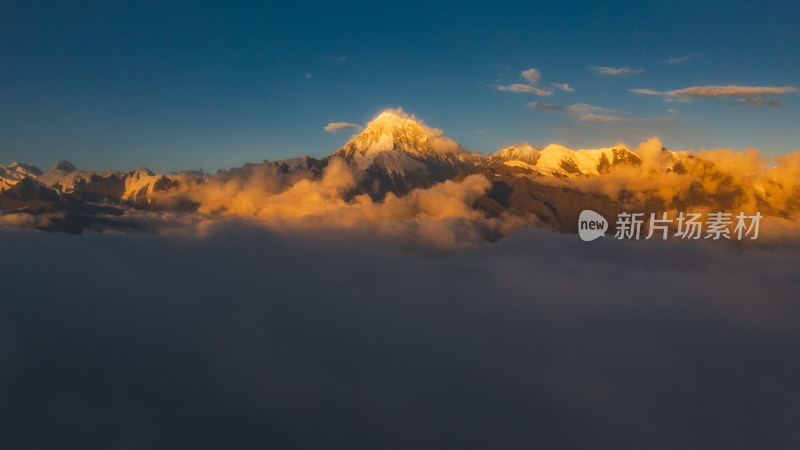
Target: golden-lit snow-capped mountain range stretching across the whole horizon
column 397, row 154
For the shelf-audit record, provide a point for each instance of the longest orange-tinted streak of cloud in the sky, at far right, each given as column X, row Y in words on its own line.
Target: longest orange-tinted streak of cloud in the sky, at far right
column 755, row 95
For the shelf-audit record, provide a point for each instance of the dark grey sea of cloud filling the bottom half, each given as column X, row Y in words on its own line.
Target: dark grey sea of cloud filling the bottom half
column 338, row 341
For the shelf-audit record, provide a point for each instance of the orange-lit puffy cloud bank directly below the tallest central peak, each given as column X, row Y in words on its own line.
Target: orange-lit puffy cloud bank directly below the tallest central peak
column 439, row 217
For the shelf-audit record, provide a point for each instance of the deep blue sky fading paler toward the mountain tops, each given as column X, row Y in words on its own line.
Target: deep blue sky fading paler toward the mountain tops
column 184, row 85
